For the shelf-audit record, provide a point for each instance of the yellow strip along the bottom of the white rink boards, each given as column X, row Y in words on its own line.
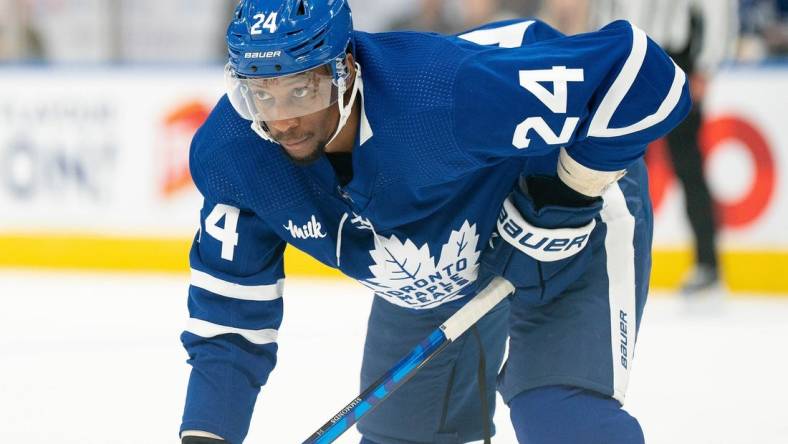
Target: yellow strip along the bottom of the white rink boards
column 744, row 271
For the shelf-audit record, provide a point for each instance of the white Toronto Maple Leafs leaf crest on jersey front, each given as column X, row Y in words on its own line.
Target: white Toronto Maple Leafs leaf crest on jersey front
column 408, row 275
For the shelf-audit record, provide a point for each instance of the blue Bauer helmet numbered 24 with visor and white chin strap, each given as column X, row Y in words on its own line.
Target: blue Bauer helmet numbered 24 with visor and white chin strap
column 287, row 59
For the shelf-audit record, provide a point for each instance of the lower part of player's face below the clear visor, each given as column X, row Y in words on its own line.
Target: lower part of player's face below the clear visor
column 304, row 138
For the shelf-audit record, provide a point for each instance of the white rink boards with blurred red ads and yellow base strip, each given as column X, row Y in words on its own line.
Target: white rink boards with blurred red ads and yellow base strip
column 94, row 172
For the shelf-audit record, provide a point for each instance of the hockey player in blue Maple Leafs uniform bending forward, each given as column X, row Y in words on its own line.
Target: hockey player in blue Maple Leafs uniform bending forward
column 423, row 165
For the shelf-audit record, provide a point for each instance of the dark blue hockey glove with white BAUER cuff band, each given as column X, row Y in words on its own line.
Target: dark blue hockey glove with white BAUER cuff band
column 541, row 243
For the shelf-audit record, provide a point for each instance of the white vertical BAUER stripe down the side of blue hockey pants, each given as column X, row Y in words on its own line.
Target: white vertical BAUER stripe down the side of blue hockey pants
column 620, row 249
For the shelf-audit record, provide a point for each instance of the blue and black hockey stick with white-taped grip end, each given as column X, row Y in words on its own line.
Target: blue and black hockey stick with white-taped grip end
column 449, row 331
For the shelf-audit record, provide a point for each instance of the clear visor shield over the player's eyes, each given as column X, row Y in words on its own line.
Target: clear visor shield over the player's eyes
column 279, row 98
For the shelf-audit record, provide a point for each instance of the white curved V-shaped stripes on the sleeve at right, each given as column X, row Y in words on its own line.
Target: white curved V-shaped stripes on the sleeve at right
column 600, row 122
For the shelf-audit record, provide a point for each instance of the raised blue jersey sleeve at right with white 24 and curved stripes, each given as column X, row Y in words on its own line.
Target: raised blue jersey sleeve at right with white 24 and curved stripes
column 603, row 96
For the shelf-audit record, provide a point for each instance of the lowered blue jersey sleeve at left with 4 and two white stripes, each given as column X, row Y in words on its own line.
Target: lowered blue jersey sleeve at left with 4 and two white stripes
column 235, row 310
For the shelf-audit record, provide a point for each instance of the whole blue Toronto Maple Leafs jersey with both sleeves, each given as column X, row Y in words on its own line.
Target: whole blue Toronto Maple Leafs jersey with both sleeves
column 448, row 125
